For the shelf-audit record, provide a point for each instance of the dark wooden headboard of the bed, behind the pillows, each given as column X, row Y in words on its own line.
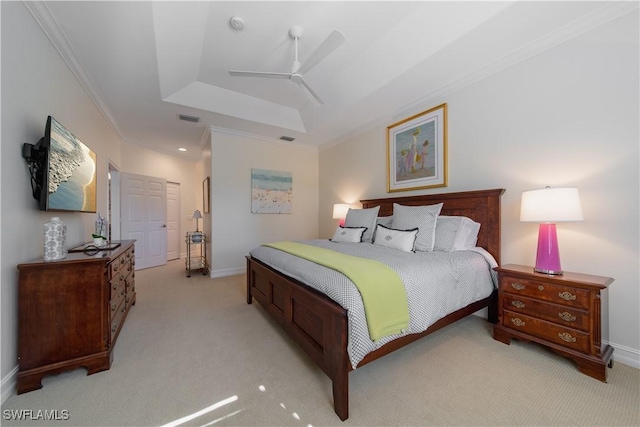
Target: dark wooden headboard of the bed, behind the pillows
column 481, row 206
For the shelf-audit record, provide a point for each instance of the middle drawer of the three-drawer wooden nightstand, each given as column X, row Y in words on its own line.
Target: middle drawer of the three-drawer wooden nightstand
column 560, row 314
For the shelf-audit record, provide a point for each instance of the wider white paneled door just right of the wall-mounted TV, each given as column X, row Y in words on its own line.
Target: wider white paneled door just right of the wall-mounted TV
column 143, row 217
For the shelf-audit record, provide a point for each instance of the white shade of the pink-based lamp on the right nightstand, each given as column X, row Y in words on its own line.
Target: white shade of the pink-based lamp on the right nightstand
column 551, row 205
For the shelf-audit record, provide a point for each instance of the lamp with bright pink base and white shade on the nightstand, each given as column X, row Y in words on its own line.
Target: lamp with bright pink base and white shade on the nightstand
column 548, row 206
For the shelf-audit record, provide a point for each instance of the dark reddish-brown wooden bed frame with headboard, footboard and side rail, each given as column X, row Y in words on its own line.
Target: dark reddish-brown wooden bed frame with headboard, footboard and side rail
column 321, row 326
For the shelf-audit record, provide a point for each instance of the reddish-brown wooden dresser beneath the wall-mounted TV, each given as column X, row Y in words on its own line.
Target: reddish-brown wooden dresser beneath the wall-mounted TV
column 71, row 311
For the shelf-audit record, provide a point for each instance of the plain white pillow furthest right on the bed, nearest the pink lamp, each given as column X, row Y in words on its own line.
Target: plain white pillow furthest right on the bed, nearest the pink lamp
column 455, row 233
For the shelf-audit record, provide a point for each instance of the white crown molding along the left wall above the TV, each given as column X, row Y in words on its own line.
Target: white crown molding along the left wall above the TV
column 47, row 22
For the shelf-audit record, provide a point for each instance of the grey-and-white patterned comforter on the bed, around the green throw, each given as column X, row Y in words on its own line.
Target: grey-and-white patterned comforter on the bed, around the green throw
column 437, row 283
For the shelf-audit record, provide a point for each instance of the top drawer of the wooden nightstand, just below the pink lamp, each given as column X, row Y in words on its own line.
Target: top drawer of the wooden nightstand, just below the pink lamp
column 564, row 295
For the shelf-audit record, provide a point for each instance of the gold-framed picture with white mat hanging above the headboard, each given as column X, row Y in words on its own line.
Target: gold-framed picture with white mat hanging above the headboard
column 417, row 151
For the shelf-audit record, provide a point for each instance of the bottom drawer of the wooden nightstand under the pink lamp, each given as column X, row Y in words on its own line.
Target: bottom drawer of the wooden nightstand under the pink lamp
column 567, row 337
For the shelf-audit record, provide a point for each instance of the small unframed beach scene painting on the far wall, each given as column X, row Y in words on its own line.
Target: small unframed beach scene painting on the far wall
column 271, row 191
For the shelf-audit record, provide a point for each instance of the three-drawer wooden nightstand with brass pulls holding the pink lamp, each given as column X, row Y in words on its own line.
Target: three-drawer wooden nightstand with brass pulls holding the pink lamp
column 562, row 312
